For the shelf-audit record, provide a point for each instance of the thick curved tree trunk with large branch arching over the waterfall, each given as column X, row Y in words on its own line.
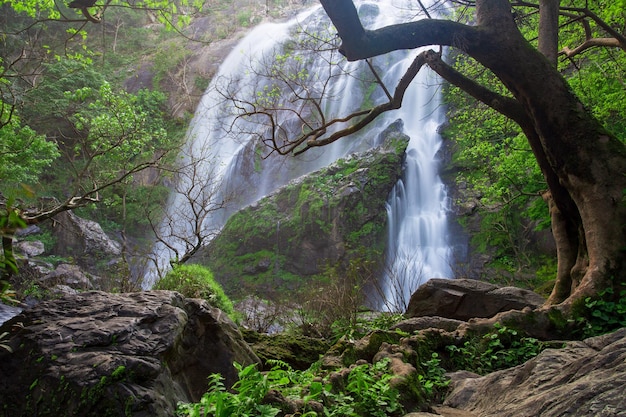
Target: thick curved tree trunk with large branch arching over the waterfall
column 583, row 164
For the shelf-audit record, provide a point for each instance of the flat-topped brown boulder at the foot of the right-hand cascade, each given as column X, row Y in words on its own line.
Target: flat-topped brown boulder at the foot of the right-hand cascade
column 463, row 299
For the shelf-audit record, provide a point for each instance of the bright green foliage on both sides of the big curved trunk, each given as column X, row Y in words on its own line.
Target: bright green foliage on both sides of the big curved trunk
column 494, row 160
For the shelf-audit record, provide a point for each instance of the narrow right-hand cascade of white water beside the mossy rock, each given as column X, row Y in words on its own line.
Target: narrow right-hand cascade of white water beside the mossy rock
column 417, row 207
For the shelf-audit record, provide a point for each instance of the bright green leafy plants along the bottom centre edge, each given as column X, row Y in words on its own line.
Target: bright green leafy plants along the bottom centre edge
column 367, row 392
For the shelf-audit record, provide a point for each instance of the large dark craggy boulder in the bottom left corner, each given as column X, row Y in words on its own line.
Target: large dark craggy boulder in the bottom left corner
column 103, row 354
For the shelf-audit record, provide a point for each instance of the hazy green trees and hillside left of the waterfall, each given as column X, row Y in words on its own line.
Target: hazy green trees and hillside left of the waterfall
column 92, row 116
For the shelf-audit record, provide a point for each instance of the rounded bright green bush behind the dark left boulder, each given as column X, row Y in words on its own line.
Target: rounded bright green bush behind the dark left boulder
column 196, row 281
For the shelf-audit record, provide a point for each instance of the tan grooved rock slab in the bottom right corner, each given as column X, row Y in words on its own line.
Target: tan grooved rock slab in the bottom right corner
column 582, row 379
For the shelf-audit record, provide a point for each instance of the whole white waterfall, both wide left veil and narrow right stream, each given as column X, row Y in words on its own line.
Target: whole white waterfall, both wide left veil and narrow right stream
column 239, row 176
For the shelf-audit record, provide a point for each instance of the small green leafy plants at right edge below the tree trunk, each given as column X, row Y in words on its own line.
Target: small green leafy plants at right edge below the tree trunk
column 601, row 314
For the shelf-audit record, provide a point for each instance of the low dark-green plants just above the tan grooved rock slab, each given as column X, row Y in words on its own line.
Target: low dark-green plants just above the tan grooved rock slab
column 499, row 349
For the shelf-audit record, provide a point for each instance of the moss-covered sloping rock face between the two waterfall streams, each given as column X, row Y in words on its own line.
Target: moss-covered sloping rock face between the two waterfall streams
column 324, row 218
